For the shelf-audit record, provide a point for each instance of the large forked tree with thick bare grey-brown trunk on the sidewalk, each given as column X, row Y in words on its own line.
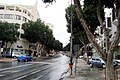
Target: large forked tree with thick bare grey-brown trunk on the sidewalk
column 107, row 55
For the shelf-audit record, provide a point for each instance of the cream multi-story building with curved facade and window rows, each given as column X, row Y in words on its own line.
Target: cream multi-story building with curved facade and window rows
column 18, row 14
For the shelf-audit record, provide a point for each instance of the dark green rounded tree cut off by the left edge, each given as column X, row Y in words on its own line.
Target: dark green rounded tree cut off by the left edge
column 8, row 33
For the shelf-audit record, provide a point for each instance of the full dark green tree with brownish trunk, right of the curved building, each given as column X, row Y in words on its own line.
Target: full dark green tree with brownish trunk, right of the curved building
column 39, row 33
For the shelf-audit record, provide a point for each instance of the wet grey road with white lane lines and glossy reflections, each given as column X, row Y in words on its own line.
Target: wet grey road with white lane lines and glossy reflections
column 50, row 69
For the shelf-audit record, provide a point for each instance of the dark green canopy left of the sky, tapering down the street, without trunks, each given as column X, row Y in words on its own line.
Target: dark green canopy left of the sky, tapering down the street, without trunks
column 39, row 32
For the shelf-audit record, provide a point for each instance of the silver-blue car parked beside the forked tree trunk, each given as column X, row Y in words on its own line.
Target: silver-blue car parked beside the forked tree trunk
column 96, row 62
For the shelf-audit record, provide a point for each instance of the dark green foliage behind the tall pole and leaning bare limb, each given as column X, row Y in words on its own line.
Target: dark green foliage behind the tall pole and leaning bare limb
column 78, row 31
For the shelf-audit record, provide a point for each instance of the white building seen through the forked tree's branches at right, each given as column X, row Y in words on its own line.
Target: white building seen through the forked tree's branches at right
column 111, row 24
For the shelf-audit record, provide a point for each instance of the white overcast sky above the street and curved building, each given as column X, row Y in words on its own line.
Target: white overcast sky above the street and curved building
column 54, row 14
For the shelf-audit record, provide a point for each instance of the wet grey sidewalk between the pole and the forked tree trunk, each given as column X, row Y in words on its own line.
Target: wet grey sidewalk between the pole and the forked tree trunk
column 84, row 72
